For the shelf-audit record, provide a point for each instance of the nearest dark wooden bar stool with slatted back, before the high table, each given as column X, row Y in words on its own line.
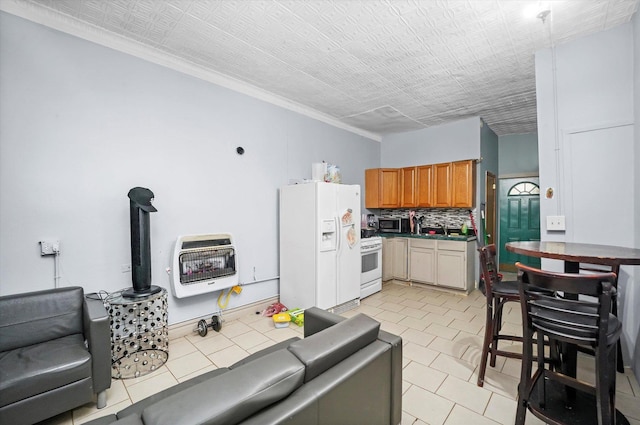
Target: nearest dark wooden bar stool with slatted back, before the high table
column 556, row 396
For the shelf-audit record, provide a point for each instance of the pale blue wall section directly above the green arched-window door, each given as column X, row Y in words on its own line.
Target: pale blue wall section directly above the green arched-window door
column 518, row 154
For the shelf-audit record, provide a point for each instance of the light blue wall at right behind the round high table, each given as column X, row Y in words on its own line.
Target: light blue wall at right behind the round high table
column 593, row 95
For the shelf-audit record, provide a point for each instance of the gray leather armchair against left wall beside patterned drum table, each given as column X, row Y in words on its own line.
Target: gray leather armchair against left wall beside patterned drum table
column 55, row 354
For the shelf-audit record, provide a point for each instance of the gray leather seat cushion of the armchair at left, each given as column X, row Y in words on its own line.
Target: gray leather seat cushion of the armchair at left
column 39, row 366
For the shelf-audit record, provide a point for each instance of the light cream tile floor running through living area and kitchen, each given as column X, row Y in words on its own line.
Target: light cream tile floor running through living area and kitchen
column 442, row 335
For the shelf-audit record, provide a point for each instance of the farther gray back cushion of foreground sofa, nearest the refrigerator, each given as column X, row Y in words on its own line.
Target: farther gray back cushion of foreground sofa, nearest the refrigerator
column 324, row 349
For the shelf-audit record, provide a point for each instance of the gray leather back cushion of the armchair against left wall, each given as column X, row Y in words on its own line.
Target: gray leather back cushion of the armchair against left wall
column 31, row 318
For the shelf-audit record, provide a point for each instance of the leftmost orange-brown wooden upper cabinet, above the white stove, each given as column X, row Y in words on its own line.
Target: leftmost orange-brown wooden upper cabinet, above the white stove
column 382, row 188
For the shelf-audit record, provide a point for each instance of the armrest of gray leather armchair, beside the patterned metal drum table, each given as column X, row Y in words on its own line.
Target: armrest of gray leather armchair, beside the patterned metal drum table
column 98, row 336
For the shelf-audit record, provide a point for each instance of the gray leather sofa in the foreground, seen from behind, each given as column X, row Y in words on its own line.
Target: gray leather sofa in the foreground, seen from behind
column 344, row 371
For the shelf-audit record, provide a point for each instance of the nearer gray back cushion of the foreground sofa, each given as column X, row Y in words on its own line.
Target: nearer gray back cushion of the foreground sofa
column 233, row 396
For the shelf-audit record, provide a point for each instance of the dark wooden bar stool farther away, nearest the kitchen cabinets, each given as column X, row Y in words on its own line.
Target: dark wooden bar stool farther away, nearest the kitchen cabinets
column 497, row 293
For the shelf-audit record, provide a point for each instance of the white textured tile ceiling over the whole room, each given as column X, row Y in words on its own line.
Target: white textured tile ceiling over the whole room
column 387, row 65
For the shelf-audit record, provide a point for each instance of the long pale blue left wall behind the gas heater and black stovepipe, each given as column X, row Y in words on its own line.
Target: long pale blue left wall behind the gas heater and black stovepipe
column 82, row 124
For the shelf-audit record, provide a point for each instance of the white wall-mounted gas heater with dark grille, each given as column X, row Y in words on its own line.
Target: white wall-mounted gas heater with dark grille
column 203, row 263
